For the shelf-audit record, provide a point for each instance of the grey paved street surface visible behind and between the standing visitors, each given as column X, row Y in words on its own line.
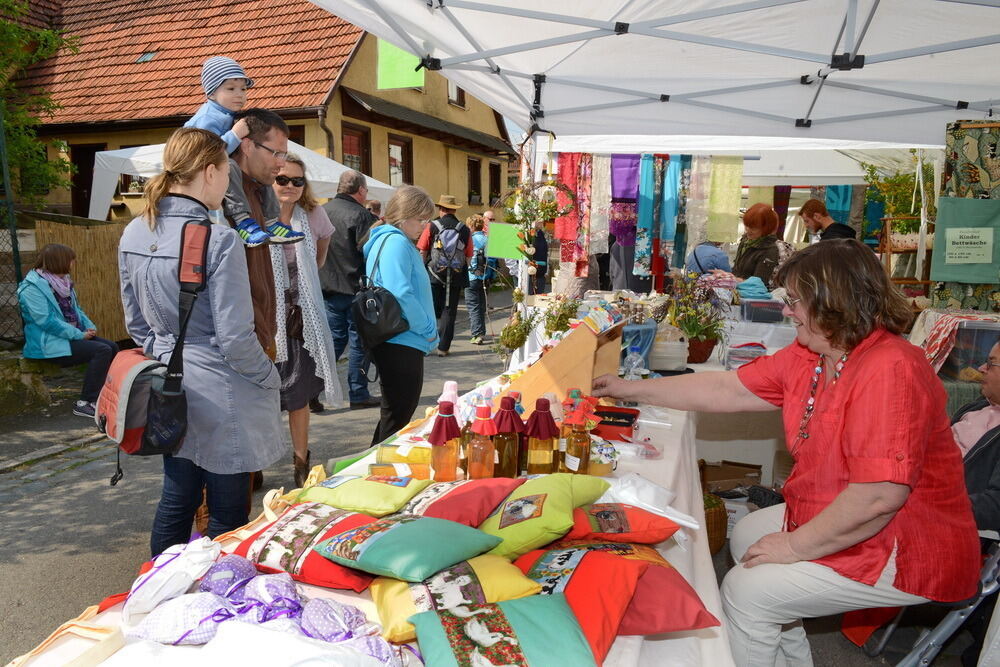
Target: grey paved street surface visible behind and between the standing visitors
column 69, row 539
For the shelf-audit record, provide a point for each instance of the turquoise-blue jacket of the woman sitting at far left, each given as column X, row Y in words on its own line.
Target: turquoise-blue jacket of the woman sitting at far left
column 46, row 332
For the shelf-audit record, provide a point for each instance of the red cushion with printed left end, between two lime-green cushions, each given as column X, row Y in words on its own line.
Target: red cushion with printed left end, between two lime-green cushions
column 469, row 501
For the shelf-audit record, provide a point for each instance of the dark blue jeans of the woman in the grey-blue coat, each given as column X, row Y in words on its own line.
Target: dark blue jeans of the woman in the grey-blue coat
column 228, row 498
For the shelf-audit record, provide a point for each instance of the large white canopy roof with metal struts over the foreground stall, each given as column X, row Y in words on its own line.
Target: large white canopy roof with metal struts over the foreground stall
column 879, row 70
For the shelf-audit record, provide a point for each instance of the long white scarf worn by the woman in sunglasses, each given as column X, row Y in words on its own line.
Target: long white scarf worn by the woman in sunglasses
column 316, row 336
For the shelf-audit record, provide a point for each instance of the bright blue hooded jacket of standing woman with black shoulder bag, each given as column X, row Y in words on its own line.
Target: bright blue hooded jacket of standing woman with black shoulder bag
column 401, row 271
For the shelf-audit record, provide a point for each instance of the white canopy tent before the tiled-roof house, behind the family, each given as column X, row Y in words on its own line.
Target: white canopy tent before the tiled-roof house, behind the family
column 146, row 161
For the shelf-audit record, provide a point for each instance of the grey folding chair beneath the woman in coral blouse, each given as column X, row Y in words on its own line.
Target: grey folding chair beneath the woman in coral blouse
column 930, row 642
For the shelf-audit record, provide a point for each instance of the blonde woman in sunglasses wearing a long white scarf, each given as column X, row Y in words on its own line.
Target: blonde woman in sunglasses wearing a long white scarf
column 306, row 359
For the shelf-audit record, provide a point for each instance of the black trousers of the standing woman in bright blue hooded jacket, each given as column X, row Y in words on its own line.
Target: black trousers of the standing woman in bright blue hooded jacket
column 401, row 376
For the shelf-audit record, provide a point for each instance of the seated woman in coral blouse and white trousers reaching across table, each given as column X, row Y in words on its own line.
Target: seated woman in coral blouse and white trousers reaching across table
column 876, row 511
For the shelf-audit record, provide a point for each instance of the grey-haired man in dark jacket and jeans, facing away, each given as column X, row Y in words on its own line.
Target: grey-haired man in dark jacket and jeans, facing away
column 339, row 278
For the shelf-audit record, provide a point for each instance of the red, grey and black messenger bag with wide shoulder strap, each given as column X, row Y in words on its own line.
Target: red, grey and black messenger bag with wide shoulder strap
column 142, row 405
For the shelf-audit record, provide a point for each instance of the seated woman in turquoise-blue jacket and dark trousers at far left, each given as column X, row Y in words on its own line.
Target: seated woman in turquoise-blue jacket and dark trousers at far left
column 56, row 328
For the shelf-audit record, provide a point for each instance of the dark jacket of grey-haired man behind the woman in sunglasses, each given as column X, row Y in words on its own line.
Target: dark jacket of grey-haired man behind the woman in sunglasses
column 344, row 260
